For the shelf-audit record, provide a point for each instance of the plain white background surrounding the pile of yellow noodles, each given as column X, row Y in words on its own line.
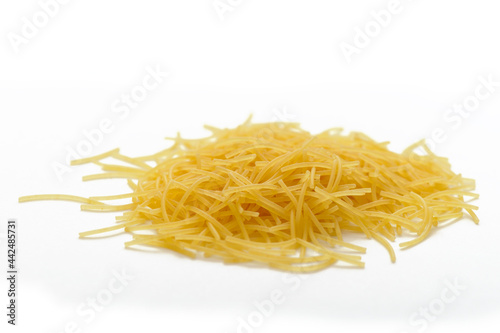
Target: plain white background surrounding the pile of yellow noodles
column 274, row 59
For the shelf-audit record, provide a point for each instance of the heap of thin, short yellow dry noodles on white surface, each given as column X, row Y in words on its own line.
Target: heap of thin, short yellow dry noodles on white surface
column 273, row 193
